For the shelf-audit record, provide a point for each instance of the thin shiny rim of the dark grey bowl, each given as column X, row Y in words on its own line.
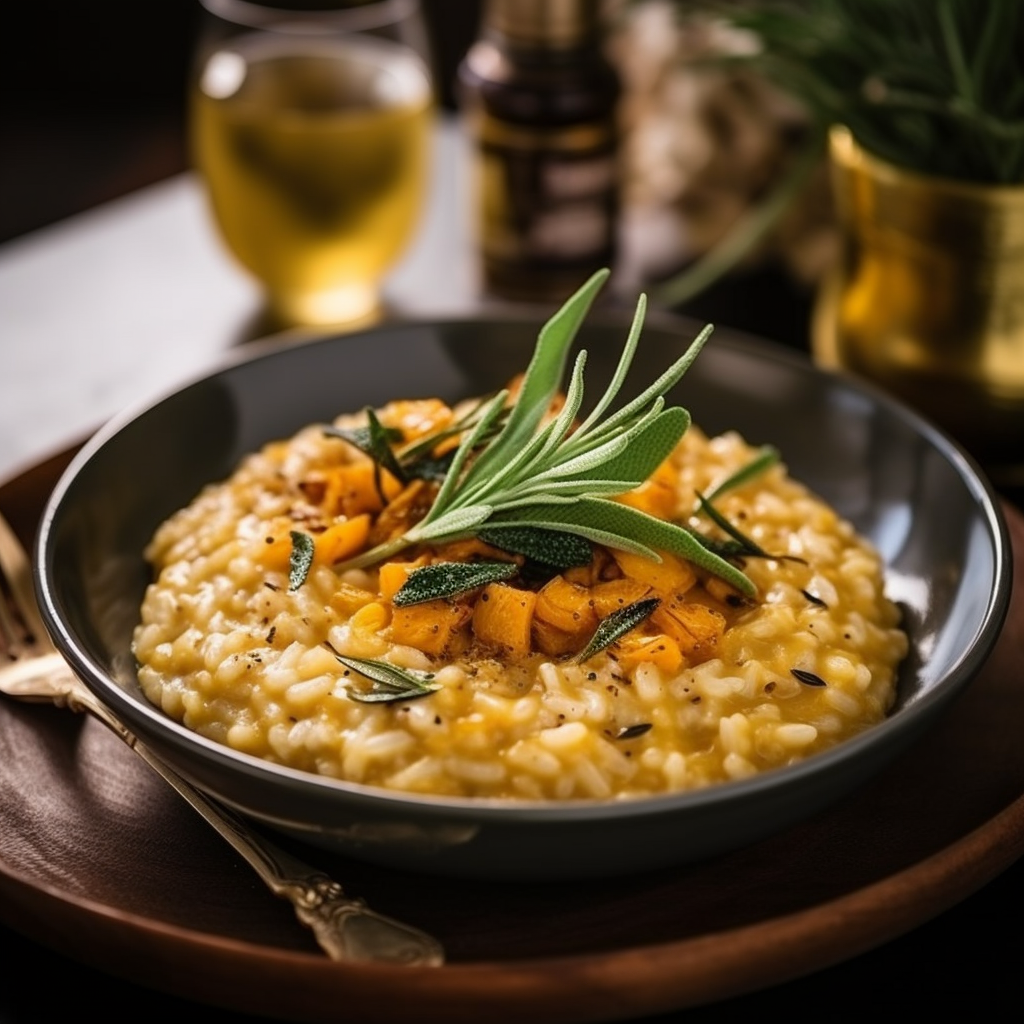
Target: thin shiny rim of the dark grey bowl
column 746, row 346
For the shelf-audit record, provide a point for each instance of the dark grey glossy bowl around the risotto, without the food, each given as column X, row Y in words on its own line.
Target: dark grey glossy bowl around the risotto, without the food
column 902, row 483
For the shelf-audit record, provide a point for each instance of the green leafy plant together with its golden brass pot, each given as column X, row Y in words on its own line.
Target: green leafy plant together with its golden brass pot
column 921, row 106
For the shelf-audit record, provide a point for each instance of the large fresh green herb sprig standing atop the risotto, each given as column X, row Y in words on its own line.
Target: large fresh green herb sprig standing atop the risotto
column 549, row 473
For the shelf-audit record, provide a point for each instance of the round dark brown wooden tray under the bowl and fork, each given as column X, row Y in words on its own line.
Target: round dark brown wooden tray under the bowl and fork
column 102, row 863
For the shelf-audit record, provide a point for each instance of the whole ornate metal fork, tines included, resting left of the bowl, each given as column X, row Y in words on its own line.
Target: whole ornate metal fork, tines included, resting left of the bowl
column 32, row 669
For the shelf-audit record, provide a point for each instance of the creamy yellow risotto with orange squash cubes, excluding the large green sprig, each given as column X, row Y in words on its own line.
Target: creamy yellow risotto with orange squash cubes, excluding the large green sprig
column 258, row 632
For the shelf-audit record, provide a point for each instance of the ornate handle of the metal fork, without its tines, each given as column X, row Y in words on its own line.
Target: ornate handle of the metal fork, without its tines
column 346, row 928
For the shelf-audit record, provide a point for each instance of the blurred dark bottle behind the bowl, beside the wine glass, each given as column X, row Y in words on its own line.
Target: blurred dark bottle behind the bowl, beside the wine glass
column 540, row 99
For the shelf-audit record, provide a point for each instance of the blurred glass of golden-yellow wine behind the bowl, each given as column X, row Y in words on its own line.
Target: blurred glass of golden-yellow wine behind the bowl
column 311, row 131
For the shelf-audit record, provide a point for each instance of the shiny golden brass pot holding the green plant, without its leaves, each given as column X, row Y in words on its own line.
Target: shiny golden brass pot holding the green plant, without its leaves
column 927, row 301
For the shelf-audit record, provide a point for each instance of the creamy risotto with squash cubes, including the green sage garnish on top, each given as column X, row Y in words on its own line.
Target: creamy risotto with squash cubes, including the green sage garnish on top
column 513, row 600
